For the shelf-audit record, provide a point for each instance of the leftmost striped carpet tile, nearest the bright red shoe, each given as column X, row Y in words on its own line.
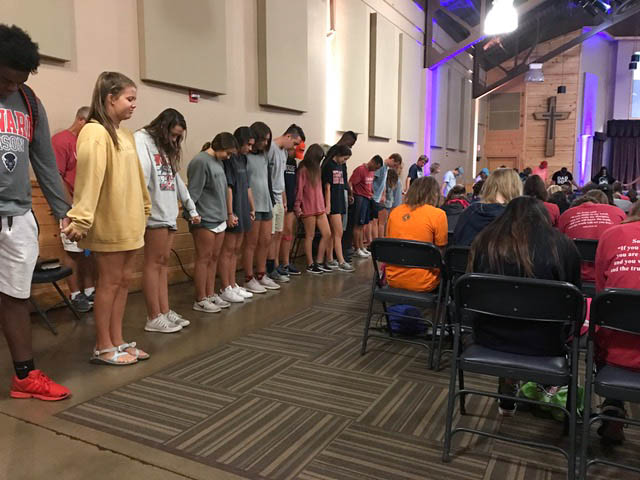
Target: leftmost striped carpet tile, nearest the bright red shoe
column 152, row 410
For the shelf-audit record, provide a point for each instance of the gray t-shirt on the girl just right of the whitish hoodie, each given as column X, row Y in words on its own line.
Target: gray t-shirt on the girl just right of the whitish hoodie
column 208, row 188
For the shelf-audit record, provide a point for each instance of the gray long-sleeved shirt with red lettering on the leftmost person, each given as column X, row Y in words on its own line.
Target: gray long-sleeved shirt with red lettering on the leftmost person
column 15, row 153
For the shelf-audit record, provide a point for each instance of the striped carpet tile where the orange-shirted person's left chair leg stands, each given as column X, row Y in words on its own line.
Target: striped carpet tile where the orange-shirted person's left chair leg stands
column 382, row 358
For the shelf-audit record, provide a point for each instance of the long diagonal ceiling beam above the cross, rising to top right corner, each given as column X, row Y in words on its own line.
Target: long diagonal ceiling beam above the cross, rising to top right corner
column 614, row 18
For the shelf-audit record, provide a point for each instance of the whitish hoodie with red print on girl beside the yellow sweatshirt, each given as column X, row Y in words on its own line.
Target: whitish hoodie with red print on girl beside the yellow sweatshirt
column 164, row 187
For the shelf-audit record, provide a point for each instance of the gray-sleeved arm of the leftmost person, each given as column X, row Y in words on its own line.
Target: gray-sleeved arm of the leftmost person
column 44, row 165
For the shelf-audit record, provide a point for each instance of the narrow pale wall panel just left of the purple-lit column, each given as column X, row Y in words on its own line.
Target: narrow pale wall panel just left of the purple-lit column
column 410, row 74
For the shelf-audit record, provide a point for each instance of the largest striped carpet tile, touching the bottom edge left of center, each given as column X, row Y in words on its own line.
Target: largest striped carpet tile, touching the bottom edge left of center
column 261, row 437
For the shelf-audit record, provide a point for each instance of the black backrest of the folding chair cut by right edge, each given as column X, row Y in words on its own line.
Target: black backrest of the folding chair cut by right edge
column 617, row 309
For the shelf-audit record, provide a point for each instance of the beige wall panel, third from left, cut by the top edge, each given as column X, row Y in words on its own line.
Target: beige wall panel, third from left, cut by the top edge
column 283, row 54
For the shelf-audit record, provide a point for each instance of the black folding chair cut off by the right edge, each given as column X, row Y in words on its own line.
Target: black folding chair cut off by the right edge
column 614, row 309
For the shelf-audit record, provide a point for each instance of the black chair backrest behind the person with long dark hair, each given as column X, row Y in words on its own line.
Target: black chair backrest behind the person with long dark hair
column 517, row 298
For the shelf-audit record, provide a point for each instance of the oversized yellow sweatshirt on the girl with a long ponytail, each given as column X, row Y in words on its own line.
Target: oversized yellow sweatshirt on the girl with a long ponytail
column 110, row 199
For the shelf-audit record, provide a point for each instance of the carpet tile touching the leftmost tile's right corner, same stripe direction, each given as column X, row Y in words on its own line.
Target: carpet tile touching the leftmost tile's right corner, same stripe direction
column 339, row 392
